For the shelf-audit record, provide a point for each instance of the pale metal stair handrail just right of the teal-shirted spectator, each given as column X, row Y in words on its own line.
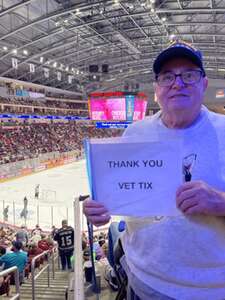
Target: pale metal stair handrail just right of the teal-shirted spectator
column 33, row 276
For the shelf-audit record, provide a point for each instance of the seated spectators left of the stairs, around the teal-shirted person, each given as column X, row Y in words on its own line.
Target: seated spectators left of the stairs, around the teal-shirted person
column 18, row 248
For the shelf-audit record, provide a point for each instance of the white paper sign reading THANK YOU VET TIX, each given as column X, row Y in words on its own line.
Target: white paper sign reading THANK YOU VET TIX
column 136, row 178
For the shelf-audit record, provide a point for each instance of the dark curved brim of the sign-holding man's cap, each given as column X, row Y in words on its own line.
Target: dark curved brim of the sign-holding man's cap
column 175, row 52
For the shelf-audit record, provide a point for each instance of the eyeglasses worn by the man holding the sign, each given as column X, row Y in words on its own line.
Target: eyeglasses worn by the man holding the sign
column 188, row 77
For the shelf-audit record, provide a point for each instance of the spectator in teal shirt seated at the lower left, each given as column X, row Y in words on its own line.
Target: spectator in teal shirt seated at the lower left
column 16, row 258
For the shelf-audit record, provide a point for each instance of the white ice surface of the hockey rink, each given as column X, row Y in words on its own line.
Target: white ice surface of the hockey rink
column 58, row 188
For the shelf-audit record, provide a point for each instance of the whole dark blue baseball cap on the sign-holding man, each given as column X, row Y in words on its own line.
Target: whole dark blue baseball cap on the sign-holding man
column 176, row 50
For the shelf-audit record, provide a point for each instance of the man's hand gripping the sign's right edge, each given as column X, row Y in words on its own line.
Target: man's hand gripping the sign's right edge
column 197, row 197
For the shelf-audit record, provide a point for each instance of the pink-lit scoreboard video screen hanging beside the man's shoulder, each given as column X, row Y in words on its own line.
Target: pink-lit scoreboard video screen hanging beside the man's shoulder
column 124, row 108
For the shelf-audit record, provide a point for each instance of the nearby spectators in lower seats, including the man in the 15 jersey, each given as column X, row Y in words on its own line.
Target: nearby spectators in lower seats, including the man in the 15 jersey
column 19, row 247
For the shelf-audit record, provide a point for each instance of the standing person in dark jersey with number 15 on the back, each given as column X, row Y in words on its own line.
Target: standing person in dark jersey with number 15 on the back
column 65, row 238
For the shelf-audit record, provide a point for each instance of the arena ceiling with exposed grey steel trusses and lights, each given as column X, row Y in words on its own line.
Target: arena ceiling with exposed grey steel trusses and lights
column 67, row 36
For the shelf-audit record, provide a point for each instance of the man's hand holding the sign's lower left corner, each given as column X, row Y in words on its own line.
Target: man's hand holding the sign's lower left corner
column 95, row 212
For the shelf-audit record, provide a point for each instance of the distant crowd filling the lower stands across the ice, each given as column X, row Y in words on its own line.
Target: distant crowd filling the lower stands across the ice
column 26, row 141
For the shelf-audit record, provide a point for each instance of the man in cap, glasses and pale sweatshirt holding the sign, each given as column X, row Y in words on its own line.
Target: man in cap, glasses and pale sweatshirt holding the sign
column 180, row 257
